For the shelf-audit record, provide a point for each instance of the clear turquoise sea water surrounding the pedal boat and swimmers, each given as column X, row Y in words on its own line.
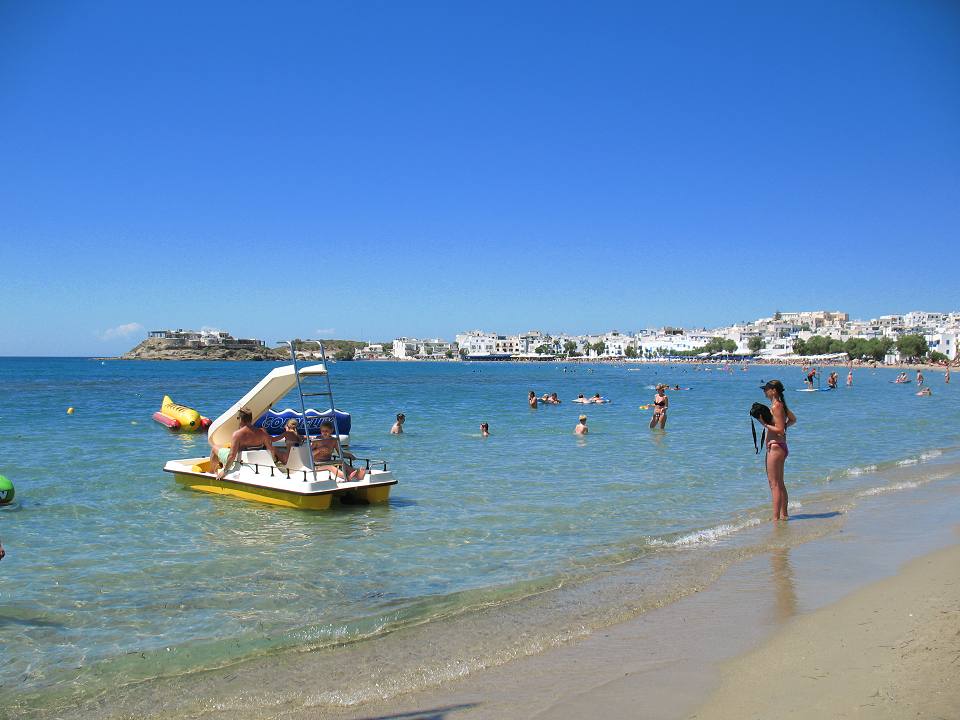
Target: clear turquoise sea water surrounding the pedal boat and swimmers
column 114, row 574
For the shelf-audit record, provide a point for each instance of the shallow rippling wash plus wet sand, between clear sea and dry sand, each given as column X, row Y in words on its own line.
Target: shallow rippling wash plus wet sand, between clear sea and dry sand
column 669, row 643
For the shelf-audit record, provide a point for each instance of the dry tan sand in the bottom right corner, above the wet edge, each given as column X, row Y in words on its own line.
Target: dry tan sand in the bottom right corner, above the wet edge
column 890, row 650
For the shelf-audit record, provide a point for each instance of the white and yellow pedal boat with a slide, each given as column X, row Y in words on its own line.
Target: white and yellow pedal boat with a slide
column 255, row 476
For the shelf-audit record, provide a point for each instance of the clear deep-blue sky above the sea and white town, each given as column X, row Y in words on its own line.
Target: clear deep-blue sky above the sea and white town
column 374, row 169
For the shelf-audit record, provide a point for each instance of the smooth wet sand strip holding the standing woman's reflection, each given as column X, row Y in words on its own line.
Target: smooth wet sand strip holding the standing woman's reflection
column 675, row 661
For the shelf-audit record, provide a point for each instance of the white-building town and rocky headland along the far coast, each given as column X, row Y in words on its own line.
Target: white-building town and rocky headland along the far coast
column 783, row 337
